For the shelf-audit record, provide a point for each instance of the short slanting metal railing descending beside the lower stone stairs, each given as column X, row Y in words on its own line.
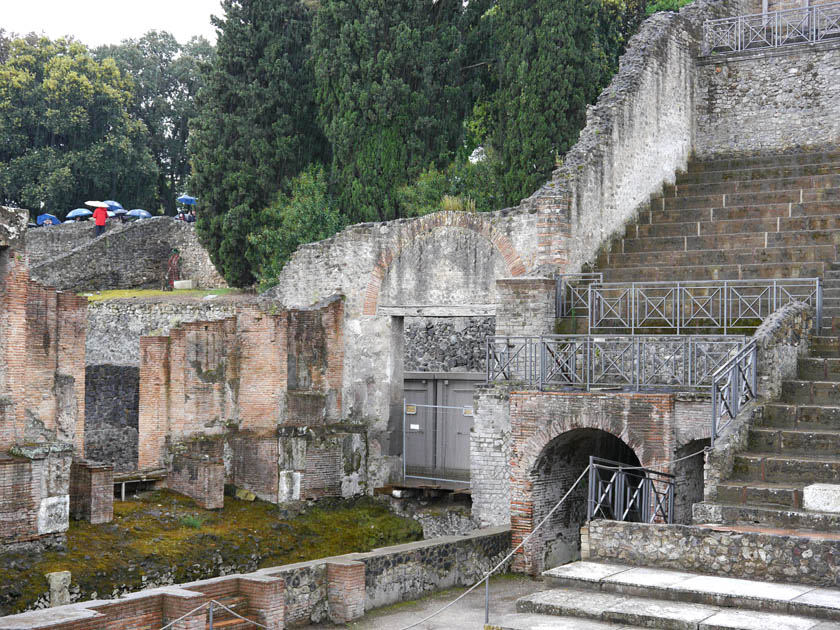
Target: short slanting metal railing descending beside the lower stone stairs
column 733, row 386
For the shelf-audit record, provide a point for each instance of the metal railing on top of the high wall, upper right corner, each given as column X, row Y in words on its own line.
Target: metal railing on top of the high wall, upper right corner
column 773, row 29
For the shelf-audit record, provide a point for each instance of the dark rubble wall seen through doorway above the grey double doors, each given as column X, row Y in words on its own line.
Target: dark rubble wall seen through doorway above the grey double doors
column 447, row 344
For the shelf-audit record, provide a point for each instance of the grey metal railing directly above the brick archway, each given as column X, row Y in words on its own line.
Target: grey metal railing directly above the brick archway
column 633, row 362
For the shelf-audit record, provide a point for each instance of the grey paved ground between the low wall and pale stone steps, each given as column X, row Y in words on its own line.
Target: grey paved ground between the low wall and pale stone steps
column 466, row 614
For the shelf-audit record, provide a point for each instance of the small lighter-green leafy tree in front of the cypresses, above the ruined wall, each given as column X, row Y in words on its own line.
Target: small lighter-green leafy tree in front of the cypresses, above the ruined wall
column 304, row 216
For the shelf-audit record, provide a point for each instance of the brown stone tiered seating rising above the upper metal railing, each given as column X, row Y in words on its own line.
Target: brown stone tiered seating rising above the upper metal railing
column 774, row 216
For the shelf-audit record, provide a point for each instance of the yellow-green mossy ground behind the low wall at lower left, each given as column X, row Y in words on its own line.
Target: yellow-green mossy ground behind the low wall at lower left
column 162, row 532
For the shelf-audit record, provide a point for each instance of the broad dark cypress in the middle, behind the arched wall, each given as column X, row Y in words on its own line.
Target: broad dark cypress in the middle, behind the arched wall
column 388, row 85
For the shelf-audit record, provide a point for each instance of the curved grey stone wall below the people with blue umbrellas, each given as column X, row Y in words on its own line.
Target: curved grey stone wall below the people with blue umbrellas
column 128, row 255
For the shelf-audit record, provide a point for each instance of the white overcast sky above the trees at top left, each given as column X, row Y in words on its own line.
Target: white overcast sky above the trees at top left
column 97, row 22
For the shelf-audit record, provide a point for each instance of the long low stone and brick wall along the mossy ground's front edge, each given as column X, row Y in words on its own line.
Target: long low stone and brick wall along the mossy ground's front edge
column 295, row 594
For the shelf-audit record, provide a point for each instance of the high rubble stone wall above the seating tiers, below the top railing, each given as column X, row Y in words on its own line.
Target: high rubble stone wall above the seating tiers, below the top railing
column 769, row 100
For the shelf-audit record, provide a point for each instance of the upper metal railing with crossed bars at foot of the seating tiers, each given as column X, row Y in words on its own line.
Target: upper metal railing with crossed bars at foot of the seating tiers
column 696, row 306
